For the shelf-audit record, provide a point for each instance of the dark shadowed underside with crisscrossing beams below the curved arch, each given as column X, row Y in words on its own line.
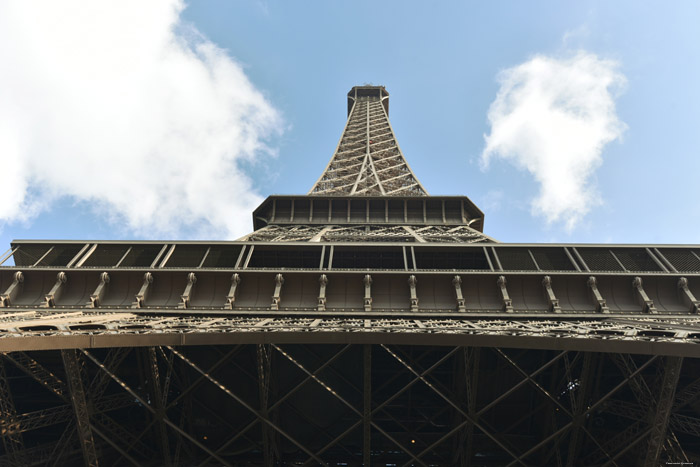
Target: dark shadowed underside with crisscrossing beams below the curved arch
column 347, row 404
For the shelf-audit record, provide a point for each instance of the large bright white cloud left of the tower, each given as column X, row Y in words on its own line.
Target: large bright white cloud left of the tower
column 121, row 105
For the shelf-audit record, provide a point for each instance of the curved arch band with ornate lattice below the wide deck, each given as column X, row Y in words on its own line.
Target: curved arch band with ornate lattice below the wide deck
column 320, row 327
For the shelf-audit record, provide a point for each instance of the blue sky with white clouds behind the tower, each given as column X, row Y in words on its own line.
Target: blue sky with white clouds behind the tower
column 274, row 75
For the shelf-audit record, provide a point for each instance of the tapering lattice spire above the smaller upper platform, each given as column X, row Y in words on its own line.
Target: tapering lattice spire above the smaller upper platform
column 368, row 160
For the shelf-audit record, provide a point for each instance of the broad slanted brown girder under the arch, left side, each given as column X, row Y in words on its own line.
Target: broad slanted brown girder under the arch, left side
column 80, row 408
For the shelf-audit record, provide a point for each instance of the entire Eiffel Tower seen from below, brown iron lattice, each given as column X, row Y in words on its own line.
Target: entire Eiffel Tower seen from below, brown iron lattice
column 365, row 323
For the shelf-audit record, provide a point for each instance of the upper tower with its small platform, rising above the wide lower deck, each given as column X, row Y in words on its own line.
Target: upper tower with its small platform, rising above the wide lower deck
column 368, row 193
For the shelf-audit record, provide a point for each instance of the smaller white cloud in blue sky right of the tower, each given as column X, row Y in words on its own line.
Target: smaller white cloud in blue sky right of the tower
column 553, row 117
